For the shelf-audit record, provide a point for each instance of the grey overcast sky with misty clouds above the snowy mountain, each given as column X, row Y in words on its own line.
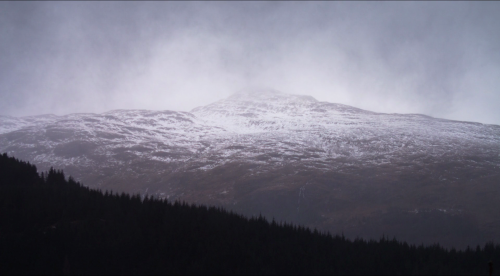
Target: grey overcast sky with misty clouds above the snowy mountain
column 436, row 58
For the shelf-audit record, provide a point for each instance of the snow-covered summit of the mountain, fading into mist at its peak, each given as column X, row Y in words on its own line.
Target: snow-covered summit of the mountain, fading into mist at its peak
column 271, row 110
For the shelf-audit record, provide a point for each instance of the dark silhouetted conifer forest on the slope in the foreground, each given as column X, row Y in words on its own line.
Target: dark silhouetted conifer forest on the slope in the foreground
column 53, row 225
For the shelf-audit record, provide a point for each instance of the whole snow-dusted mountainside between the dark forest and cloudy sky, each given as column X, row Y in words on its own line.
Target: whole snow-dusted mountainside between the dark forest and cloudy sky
column 290, row 157
